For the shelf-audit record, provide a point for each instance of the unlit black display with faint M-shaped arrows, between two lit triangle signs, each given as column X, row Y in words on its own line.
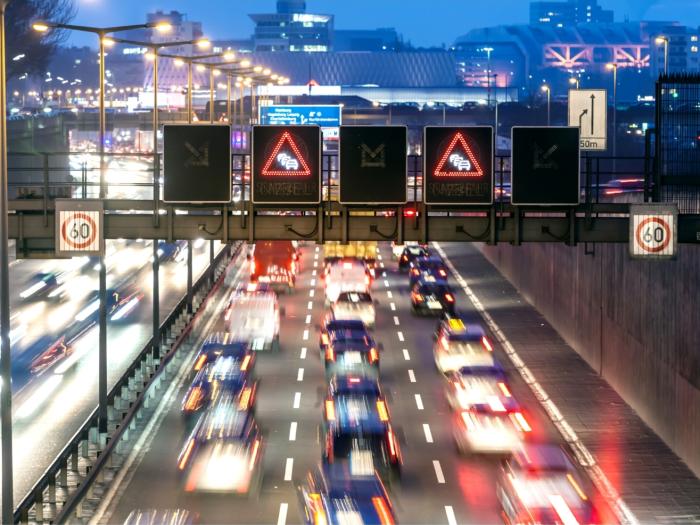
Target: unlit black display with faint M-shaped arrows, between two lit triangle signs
column 373, row 165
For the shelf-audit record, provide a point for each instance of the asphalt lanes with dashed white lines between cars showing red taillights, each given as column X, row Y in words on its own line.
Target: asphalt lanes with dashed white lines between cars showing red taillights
column 437, row 485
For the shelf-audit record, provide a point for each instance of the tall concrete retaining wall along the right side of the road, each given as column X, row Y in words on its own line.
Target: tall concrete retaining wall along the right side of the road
column 636, row 322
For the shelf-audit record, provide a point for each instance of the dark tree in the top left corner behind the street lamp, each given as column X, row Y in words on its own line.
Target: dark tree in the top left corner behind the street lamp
column 21, row 39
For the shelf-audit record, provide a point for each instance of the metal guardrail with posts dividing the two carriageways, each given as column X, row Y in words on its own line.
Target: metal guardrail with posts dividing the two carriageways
column 62, row 482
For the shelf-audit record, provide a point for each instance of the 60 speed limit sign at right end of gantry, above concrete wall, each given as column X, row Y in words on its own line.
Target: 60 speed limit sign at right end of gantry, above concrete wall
column 653, row 231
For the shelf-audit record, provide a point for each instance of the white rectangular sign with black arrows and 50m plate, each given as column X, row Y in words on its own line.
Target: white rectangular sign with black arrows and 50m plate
column 588, row 112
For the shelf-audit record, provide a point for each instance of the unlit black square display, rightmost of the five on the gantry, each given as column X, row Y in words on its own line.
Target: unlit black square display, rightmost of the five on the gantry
column 545, row 166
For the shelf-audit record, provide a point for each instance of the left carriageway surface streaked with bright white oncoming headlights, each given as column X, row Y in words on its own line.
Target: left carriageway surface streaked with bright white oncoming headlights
column 48, row 407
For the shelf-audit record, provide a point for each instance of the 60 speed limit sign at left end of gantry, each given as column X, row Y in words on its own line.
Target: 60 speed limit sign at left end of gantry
column 79, row 227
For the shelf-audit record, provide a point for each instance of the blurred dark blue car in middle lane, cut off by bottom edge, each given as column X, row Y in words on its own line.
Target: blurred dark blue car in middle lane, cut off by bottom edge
column 334, row 495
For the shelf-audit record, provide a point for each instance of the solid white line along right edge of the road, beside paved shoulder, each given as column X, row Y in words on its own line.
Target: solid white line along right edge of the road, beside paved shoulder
column 583, row 455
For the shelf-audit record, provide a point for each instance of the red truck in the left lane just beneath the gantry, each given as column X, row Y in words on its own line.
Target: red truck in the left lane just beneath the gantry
column 276, row 263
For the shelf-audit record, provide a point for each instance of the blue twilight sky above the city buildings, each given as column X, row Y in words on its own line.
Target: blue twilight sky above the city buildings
column 424, row 23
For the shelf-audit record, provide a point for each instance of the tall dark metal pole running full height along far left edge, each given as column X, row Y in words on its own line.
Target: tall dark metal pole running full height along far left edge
column 5, row 354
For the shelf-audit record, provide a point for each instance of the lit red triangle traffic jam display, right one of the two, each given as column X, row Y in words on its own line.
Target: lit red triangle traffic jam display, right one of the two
column 458, row 165
